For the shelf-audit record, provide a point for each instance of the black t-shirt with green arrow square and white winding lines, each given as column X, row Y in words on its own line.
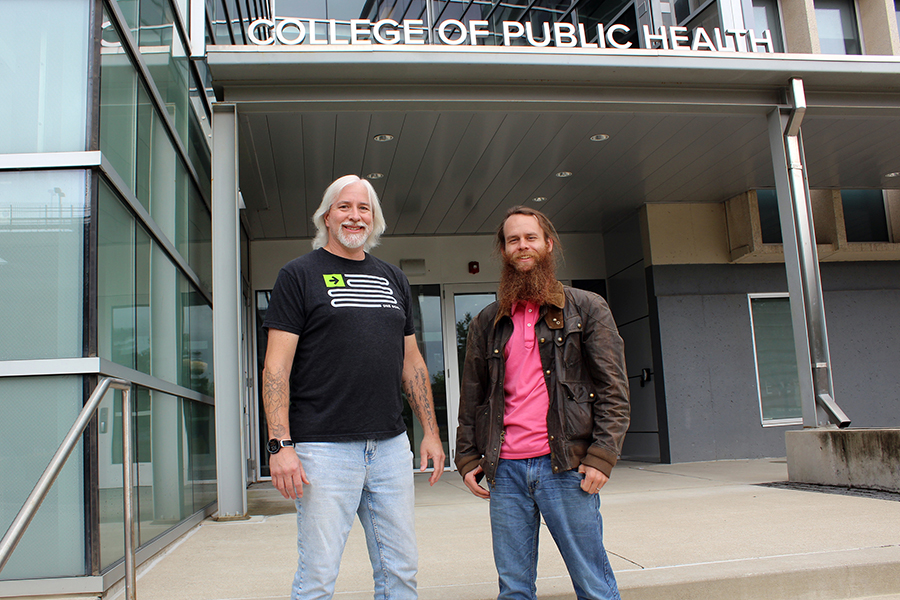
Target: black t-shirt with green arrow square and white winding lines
column 352, row 317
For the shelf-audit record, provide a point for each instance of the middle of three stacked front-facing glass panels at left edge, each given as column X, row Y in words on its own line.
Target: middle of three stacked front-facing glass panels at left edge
column 42, row 217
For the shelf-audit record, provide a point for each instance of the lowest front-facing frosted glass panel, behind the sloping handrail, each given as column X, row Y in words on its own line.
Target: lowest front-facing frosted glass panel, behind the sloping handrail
column 53, row 544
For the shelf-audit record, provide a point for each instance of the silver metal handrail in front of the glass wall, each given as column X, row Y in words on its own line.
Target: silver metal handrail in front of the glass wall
column 42, row 487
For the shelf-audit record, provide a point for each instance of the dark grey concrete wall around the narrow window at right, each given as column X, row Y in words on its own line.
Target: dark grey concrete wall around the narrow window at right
column 711, row 397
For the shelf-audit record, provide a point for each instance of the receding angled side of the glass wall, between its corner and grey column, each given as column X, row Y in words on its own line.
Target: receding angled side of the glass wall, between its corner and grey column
column 154, row 271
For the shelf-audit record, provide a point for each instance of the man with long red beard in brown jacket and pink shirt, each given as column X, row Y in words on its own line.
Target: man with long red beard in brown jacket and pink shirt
column 543, row 412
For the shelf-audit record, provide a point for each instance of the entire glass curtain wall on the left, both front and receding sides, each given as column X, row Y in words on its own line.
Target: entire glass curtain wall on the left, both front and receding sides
column 112, row 261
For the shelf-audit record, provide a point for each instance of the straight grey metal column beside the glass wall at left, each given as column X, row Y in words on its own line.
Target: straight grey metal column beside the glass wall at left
column 230, row 462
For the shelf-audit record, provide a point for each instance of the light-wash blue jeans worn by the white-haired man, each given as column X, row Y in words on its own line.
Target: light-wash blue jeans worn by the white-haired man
column 372, row 479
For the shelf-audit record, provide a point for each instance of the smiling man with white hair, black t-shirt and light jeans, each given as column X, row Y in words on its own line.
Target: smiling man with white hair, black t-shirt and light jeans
column 341, row 346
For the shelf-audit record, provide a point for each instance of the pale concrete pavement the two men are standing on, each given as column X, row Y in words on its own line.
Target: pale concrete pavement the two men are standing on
column 685, row 531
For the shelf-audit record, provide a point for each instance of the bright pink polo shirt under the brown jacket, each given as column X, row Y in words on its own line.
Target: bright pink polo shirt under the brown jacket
column 527, row 400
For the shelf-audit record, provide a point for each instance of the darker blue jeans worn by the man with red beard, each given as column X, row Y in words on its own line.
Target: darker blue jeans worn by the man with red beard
column 522, row 492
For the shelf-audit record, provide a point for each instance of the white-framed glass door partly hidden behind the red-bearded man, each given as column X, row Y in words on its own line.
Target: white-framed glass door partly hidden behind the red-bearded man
column 462, row 303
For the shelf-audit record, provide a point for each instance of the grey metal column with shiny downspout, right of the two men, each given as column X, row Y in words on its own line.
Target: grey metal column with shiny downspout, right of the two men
column 802, row 265
